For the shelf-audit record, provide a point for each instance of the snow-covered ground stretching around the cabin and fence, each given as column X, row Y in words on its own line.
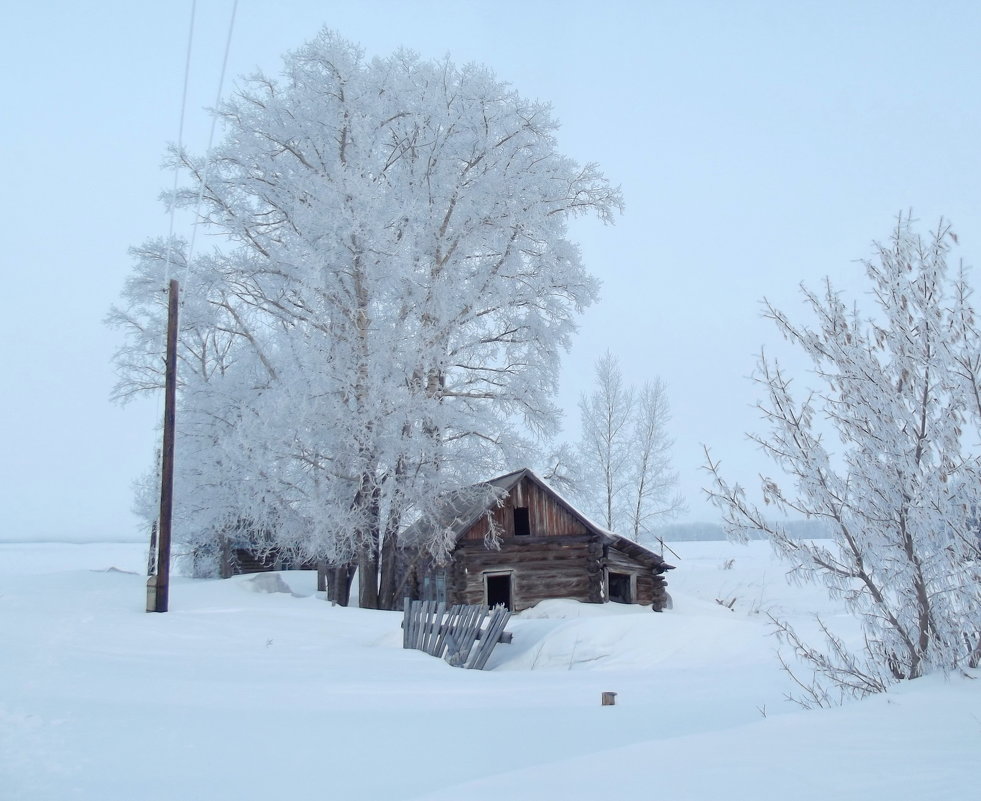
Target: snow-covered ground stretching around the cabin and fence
column 238, row 693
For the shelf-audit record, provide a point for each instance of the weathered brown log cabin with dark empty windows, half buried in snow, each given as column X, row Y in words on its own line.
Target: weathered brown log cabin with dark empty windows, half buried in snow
column 519, row 542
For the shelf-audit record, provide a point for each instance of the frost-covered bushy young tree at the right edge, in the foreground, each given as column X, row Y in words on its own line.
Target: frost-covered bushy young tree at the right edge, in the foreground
column 900, row 492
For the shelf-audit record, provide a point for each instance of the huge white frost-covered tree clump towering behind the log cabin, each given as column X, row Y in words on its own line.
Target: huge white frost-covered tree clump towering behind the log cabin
column 384, row 309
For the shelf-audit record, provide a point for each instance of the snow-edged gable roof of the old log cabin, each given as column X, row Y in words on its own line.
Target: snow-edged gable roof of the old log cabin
column 460, row 509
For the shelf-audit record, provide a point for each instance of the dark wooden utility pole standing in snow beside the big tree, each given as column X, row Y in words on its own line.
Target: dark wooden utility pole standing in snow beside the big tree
column 158, row 586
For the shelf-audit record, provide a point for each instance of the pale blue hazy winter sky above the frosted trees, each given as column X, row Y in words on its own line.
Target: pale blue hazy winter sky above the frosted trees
column 758, row 145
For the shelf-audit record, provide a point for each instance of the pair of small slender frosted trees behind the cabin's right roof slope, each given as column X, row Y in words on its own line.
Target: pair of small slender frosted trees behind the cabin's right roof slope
column 622, row 471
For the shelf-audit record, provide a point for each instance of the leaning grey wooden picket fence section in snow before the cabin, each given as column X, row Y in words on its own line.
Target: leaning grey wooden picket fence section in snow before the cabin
column 431, row 627
